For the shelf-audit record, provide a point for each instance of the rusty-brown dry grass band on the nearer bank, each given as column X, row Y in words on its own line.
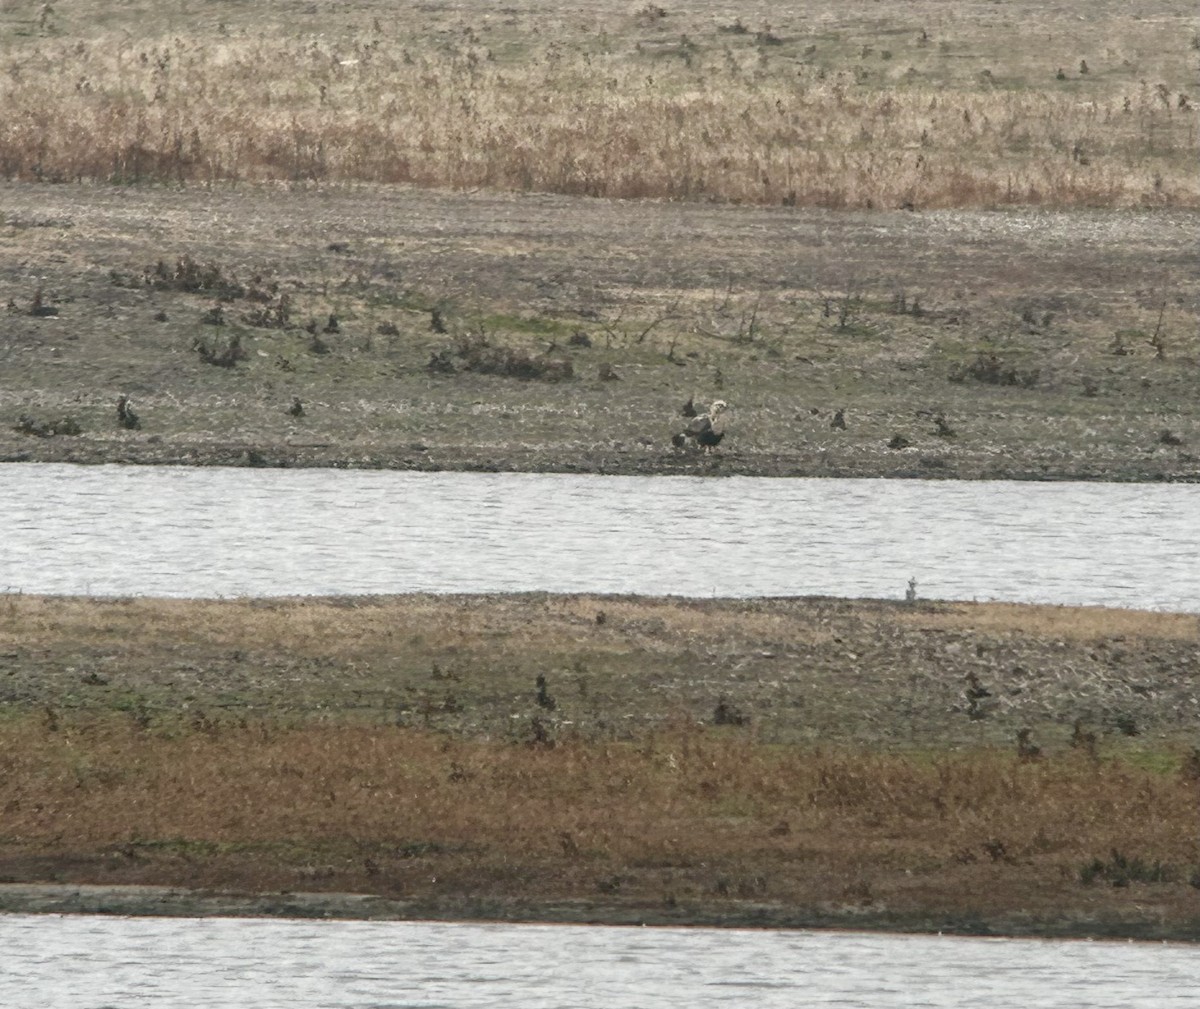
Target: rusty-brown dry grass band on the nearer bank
column 683, row 815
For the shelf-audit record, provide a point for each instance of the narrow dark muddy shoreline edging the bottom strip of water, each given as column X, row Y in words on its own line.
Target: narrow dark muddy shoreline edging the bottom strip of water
column 176, row 903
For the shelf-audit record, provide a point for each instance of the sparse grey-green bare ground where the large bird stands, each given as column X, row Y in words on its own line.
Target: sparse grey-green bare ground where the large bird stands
column 537, row 333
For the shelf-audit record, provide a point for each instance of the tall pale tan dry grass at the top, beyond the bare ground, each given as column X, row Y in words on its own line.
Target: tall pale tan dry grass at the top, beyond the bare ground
column 902, row 107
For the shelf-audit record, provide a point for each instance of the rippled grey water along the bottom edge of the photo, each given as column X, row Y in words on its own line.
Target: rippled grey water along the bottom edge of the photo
column 253, row 964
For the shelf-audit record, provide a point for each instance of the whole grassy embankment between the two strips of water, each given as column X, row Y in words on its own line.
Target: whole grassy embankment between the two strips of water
column 797, row 761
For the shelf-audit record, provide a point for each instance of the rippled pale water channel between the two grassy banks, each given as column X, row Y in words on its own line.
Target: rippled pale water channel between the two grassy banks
column 185, row 532
